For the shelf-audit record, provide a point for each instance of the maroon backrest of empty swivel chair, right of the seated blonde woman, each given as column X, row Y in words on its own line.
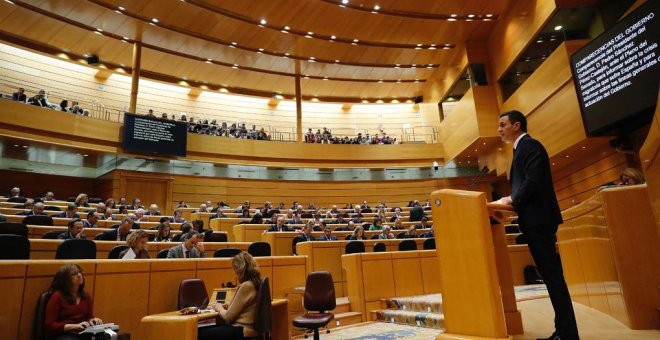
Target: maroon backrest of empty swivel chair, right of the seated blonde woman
column 319, row 292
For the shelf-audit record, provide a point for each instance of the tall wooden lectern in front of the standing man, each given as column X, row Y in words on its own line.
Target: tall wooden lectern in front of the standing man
column 477, row 286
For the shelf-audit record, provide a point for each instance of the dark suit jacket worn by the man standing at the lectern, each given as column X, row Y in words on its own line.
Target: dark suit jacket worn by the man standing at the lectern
column 532, row 191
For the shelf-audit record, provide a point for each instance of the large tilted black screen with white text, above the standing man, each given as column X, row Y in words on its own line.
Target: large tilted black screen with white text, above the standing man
column 616, row 74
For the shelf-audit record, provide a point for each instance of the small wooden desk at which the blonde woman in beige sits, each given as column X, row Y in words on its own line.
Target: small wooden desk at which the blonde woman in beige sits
column 173, row 326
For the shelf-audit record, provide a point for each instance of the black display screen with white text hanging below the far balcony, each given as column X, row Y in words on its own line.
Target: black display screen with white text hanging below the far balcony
column 154, row 136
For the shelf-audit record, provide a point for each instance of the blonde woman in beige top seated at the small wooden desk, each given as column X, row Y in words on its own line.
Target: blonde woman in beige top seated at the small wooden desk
column 238, row 316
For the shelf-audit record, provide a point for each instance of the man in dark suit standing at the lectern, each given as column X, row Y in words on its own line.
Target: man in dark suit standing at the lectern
column 533, row 198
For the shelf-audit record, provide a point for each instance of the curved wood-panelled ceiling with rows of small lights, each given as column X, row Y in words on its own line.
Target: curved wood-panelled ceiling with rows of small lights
column 352, row 51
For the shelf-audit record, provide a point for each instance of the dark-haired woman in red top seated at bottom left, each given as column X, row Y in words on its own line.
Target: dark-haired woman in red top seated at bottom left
column 69, row 309
